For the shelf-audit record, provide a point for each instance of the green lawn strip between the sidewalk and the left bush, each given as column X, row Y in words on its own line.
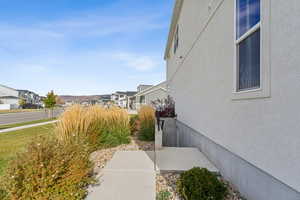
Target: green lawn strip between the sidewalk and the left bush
column 15, row 141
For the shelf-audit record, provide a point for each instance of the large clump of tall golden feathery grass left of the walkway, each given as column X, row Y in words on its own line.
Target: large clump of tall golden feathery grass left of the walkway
column 99, row 127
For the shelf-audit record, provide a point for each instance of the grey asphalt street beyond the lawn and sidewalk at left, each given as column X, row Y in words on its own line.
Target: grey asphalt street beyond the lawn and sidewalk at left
column 12, row 118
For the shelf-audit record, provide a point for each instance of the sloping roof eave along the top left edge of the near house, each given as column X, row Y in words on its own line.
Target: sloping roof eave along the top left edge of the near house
column 175, row 17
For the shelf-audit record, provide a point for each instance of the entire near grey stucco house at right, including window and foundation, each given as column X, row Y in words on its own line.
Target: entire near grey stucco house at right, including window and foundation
column 233, row 71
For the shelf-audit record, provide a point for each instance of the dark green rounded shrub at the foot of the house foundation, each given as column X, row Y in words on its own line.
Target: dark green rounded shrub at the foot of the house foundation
column 201, row 184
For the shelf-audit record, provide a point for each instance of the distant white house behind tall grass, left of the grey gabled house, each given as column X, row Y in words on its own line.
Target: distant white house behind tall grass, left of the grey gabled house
column 123, row 99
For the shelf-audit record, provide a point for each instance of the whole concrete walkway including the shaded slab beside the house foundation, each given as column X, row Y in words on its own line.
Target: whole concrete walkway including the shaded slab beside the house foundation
column 130, row 175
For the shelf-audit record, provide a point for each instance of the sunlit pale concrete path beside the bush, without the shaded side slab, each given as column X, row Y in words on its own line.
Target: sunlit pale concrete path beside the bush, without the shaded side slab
column 130, row 175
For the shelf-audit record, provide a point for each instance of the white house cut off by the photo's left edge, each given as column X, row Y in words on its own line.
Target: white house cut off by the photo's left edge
column 9, row 98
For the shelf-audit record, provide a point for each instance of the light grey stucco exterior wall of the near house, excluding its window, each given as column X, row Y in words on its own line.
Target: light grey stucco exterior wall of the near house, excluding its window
column 263, row 132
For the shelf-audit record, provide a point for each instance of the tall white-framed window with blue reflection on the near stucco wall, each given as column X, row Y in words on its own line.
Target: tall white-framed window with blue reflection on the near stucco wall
column 248, row 44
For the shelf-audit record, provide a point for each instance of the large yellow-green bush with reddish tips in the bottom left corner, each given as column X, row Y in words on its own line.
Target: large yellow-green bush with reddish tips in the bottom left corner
column 49, row 170
